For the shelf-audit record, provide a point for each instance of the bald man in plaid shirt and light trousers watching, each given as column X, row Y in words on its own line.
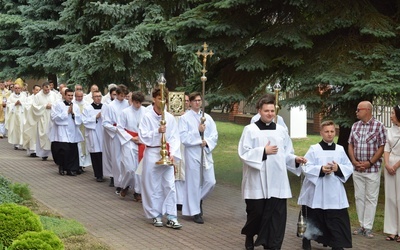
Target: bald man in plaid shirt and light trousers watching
column 366, row 143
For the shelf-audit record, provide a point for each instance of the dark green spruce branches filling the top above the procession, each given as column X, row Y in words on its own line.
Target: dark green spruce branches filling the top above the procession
column 329, row 55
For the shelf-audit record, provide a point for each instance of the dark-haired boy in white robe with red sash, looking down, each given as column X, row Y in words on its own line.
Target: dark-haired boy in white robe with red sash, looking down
column 131, row 147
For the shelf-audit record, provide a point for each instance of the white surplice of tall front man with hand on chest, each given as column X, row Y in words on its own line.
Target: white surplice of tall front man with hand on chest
column 268, row 178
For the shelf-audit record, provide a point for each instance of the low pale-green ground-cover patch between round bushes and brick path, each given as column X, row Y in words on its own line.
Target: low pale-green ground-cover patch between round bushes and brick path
column 63, row 228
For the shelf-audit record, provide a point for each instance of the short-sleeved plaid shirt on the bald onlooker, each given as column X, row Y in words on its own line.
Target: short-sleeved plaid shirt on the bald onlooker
column 366, row 139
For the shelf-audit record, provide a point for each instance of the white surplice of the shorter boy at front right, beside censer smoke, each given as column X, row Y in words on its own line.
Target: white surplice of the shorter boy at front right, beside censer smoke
column 325, row 192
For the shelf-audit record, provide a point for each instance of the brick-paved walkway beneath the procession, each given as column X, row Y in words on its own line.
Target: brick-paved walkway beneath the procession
column 120, row 223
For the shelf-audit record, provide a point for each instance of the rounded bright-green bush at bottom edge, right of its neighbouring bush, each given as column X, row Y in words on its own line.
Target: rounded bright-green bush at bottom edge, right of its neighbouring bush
column 37, row 240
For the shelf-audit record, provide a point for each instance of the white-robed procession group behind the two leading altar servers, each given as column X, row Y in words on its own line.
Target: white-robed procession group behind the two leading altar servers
column 120, row 139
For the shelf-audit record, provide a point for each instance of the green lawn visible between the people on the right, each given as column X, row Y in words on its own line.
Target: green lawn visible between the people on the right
column 228, row 169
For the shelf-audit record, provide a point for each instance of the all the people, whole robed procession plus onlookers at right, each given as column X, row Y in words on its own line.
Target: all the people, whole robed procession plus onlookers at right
column 121, row 139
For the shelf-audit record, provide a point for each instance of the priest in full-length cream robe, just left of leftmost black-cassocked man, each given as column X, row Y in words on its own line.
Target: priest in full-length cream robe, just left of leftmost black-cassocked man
column 41, row 109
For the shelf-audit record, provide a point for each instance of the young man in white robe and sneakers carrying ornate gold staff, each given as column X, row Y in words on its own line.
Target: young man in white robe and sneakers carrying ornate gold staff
column 158, row 181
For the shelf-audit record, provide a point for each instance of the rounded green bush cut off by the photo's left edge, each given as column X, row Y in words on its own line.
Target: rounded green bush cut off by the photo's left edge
column 16, row 220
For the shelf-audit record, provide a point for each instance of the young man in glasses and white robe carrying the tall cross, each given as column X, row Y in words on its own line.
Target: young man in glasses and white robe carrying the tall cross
column 199, row 173
